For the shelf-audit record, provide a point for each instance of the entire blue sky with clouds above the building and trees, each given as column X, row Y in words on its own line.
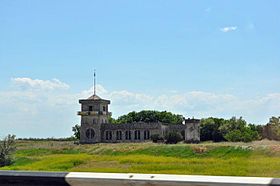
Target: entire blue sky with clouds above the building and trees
column 195, row 58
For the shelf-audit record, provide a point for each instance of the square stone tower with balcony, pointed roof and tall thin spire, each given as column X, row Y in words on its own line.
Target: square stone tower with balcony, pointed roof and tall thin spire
column 94, row 112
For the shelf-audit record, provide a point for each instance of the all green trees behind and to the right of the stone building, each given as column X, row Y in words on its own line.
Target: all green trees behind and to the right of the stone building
column 211, row 129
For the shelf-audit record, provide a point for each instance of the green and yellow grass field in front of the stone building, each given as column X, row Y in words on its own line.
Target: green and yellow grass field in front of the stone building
column 235, row 159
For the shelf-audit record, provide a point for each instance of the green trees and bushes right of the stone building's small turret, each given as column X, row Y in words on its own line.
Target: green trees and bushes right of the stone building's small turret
column 237, row 129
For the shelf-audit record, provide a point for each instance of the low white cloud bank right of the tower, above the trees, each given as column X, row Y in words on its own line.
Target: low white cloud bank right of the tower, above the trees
column 198, row 104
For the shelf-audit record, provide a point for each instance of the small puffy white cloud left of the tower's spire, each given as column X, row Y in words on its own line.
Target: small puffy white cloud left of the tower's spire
column 40, row 84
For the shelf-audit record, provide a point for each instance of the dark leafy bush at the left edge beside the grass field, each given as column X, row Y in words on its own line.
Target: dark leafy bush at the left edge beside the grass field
column 7, row 147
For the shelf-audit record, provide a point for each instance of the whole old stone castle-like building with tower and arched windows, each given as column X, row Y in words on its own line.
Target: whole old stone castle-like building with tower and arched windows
column 96, row 128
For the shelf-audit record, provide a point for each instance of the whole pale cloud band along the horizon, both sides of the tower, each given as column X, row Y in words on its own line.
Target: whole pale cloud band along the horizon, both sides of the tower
column 34, row 112
